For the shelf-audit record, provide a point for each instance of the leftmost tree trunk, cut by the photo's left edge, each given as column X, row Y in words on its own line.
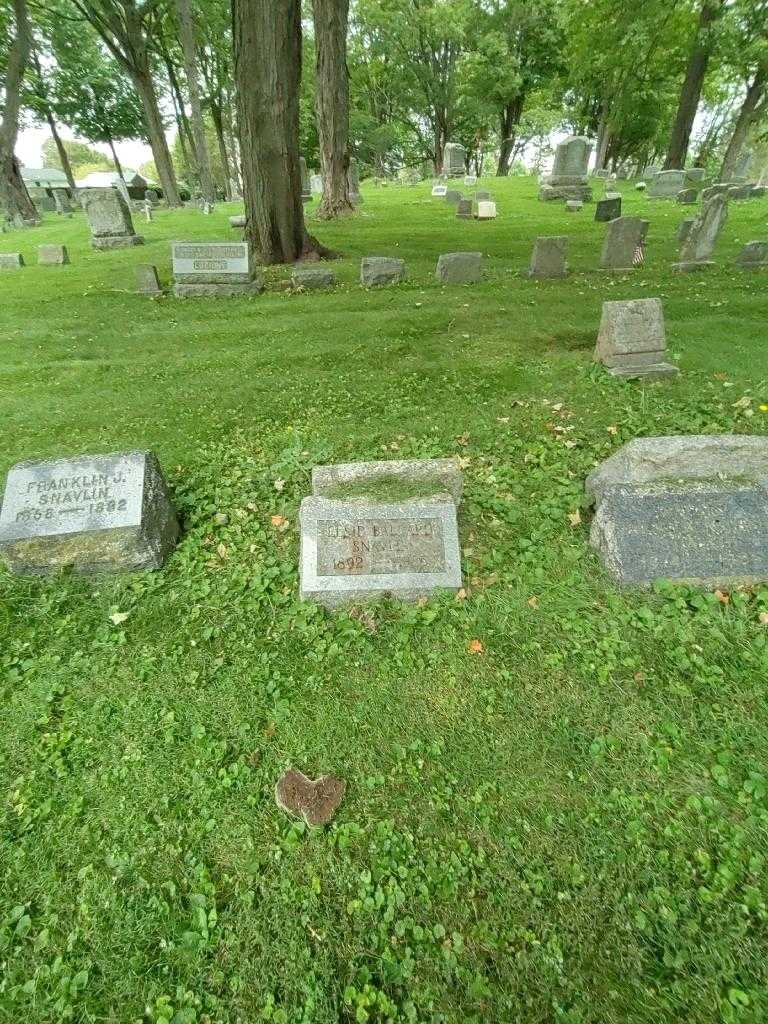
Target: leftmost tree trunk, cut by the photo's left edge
column 14, row 195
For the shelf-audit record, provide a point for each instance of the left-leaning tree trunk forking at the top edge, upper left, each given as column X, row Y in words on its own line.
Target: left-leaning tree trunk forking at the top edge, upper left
column 126, row 27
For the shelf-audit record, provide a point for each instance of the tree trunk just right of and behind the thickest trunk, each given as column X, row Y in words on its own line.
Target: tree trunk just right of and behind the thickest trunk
column 332, row 103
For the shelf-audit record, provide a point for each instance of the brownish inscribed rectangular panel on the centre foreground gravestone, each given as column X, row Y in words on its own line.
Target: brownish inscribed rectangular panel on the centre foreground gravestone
column 369, row 547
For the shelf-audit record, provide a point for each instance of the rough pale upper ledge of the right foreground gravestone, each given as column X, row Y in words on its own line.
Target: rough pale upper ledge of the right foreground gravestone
column 691, row 457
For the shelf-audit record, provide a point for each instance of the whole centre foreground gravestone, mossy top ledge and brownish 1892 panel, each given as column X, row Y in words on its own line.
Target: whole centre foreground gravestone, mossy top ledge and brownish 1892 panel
column 373, row 529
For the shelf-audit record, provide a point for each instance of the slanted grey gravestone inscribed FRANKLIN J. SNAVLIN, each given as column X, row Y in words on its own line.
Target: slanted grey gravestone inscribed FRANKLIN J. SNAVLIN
column 96, row 515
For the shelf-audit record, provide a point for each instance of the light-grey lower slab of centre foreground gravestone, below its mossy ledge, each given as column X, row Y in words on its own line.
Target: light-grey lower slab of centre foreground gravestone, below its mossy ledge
column 357, row 550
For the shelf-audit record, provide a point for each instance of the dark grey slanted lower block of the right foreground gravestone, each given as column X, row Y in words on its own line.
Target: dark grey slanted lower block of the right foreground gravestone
column 710, row 535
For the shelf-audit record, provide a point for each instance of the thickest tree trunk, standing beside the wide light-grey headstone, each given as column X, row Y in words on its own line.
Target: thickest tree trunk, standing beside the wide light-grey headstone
column 267, row 37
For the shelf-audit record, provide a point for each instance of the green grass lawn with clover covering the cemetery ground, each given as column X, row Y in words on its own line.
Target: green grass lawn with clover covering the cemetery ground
column 570, row 827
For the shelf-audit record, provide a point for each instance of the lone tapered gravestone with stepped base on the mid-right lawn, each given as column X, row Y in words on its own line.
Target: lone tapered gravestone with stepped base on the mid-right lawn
column 632, row 342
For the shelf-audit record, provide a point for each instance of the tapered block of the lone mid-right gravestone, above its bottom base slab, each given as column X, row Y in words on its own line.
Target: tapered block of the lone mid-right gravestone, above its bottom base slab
column 628, row 328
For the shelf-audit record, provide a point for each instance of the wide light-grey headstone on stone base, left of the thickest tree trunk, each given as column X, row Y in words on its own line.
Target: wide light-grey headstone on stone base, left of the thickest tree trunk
column 214, row 269
